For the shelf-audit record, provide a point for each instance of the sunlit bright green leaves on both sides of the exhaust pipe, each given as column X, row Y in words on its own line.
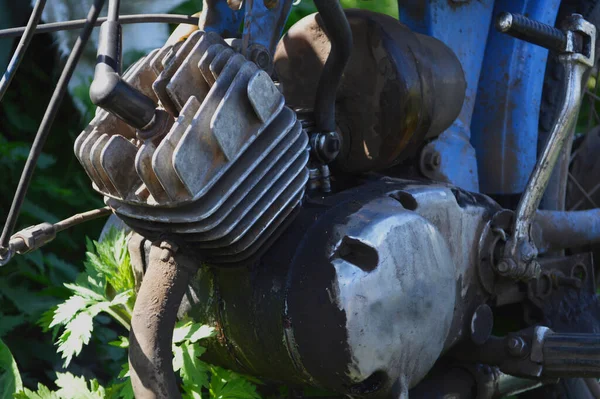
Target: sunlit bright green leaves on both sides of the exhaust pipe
column 107, row 285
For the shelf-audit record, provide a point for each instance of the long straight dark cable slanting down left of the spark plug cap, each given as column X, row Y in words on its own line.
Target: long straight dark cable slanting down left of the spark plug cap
column 46, row 124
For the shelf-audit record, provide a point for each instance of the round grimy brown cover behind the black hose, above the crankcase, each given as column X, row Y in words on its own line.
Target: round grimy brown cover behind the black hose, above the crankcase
column 399, row 88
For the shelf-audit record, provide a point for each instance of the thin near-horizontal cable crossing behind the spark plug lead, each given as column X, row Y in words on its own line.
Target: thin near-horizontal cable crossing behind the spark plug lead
column 123, row 19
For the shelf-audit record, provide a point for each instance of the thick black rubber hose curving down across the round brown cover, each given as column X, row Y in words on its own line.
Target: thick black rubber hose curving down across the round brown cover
column 338, row 31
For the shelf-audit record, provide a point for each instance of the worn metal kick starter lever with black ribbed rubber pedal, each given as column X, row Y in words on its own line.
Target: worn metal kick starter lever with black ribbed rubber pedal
column 575, row 44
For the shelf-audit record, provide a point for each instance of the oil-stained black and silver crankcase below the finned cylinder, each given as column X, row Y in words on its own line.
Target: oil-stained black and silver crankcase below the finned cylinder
column 360, row 295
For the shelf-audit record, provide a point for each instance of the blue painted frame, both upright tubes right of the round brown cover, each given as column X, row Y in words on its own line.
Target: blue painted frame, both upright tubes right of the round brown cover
column 504, row 87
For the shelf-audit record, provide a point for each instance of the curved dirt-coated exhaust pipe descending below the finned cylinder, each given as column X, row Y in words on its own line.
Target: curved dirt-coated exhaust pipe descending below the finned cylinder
column 154, row 316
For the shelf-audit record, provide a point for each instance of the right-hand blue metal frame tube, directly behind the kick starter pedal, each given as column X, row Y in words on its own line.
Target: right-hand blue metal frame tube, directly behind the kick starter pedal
column 505, row 120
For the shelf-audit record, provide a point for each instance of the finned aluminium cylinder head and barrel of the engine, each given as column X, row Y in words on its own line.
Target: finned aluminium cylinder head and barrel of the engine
column 223, row 167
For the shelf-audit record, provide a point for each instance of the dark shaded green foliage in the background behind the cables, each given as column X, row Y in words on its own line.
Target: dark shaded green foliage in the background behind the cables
column 32, row 284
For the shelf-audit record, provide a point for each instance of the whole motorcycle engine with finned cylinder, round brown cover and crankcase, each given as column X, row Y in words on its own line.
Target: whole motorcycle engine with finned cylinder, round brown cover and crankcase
column 358, row 291
